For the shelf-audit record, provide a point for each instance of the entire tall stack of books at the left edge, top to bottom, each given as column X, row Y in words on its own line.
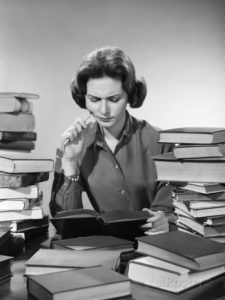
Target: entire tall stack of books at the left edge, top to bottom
column 20, row 171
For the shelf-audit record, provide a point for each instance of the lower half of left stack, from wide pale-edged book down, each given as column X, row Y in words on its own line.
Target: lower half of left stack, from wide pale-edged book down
column 20, row 198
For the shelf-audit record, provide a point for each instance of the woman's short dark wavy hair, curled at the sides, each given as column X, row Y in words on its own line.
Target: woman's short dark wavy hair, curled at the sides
column 114, row 63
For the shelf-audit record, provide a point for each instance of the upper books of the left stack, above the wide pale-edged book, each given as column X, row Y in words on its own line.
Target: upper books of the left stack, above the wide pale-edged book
column 17, row 121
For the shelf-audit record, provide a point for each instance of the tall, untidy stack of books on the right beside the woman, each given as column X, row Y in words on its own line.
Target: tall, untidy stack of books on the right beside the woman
column 196, row 171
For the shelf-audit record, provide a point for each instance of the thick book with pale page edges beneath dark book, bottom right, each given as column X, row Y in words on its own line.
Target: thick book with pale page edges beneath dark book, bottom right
column 167, row 276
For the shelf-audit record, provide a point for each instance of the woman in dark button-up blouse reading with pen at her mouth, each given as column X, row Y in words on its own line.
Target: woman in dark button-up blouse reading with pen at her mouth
column 110, row 157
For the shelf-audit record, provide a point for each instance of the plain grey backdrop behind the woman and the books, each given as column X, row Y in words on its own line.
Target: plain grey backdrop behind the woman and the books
column 176, row 45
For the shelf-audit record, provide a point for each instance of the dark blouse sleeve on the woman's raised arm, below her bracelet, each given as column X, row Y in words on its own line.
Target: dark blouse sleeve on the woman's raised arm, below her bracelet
column 66, row 194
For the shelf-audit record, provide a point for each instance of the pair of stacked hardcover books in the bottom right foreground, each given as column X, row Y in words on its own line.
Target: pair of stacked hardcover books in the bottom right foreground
column 178, row 262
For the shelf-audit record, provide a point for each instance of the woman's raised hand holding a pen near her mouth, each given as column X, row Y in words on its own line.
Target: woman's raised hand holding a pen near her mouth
column 74, row 137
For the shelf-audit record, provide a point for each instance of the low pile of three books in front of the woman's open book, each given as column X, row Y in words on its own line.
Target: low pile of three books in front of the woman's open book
column 89, row 265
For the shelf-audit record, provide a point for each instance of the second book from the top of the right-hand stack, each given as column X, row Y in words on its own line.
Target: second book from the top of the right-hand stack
column 199, row 151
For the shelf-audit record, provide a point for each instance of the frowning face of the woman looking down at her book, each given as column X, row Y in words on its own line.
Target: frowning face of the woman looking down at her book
column 107, row 100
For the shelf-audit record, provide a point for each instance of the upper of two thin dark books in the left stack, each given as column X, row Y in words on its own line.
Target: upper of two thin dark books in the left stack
column 9, row 136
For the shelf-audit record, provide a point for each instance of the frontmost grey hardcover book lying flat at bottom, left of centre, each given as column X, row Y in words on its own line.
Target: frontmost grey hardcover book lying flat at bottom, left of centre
column 90, row 283
